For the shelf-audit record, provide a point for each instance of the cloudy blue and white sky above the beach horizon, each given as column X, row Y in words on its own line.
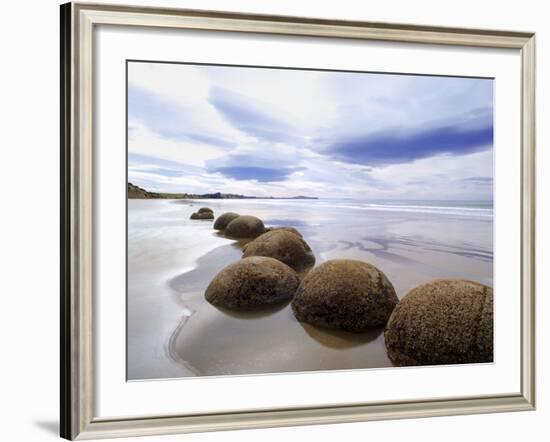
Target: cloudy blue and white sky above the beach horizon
column 277, row 132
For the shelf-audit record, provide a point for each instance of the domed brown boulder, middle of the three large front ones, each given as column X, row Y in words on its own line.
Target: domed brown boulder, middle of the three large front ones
column 345, row 294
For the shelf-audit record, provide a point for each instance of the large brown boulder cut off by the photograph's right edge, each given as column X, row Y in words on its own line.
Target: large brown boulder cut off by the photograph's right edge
column 442, row 322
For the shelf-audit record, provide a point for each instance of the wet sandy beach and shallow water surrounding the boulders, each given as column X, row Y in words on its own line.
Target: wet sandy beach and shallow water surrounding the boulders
column 174, row 332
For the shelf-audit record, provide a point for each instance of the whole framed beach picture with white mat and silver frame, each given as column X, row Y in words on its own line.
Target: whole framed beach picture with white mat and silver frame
column 274, row 220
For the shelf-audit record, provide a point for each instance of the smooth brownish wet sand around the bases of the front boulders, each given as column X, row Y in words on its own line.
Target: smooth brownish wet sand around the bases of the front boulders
column 217, row 341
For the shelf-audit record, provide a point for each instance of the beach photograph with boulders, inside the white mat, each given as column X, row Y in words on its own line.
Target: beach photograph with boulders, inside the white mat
column 284, row 220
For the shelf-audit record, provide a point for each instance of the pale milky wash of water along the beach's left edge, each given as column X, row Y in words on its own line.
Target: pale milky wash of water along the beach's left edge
column 154, row 309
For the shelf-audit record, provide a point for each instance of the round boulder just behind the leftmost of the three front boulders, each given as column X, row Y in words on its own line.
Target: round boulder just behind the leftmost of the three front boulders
column 283, row 245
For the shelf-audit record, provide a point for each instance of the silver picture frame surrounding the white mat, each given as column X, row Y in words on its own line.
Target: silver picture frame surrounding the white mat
column 78, row 21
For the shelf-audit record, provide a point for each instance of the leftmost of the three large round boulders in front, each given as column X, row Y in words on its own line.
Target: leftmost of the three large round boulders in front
column 252, row 283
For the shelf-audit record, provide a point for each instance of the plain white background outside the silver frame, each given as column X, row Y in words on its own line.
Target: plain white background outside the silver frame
column 29, row 233
